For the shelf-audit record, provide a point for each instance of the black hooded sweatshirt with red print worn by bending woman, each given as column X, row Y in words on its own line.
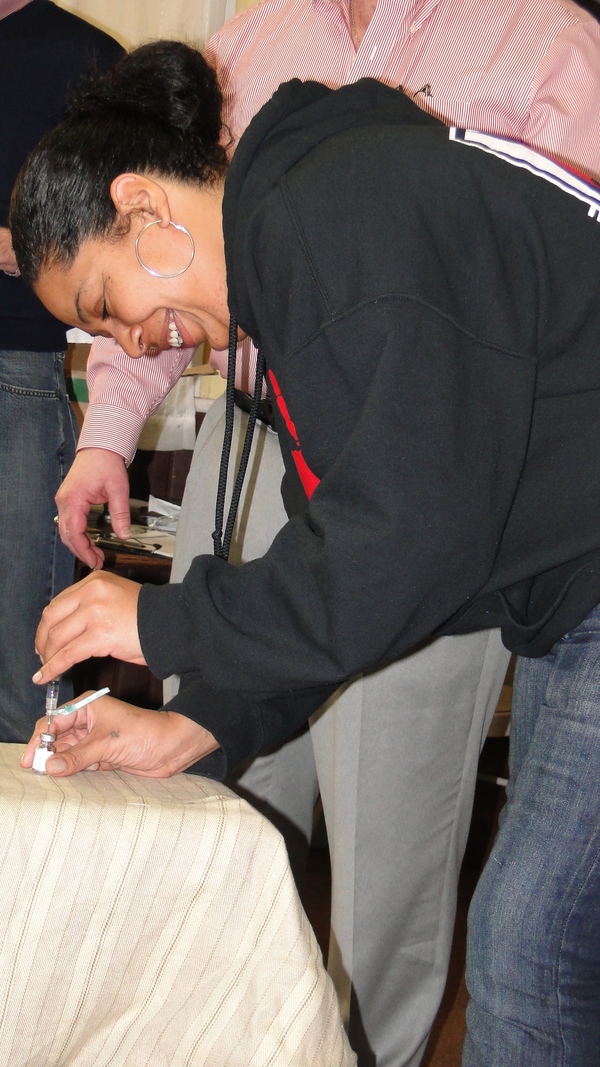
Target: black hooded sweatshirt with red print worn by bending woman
column 430, row 314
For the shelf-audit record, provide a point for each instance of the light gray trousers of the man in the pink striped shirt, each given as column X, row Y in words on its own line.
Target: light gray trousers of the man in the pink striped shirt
column 394, row 756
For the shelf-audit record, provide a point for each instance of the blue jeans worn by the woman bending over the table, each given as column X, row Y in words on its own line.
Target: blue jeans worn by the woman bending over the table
column 534, row 927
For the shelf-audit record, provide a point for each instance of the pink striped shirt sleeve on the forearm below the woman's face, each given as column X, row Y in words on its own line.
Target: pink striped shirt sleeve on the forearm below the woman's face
column 124, row 393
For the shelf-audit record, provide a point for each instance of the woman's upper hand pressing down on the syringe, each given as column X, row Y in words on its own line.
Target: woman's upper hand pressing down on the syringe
column 98, row 617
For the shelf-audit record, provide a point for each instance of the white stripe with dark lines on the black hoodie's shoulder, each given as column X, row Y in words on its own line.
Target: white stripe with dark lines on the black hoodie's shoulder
column 522, row 155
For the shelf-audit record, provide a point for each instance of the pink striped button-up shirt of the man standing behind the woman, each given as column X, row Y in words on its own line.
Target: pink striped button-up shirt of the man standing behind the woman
column 528, row 70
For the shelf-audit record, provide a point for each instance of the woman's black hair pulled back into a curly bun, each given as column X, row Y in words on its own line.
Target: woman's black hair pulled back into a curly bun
column 157, row 112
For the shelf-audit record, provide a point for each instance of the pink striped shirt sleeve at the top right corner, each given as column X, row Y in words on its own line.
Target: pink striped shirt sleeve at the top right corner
column 564, row 118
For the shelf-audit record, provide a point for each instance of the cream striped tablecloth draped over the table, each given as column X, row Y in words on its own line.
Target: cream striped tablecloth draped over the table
column 152, row 923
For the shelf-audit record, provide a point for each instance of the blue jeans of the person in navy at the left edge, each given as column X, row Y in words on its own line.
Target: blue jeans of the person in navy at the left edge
column 38, row 437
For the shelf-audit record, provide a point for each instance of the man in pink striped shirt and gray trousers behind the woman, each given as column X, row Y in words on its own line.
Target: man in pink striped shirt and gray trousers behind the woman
column 398, row 819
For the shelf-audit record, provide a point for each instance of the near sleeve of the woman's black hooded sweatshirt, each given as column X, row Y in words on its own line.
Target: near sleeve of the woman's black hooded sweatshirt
column 402, row 532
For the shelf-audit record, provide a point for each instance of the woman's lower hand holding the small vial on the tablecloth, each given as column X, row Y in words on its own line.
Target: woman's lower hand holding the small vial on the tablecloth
column 109, row 735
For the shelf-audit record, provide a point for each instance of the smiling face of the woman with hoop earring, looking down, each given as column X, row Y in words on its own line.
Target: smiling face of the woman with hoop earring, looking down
column 107, row 292
